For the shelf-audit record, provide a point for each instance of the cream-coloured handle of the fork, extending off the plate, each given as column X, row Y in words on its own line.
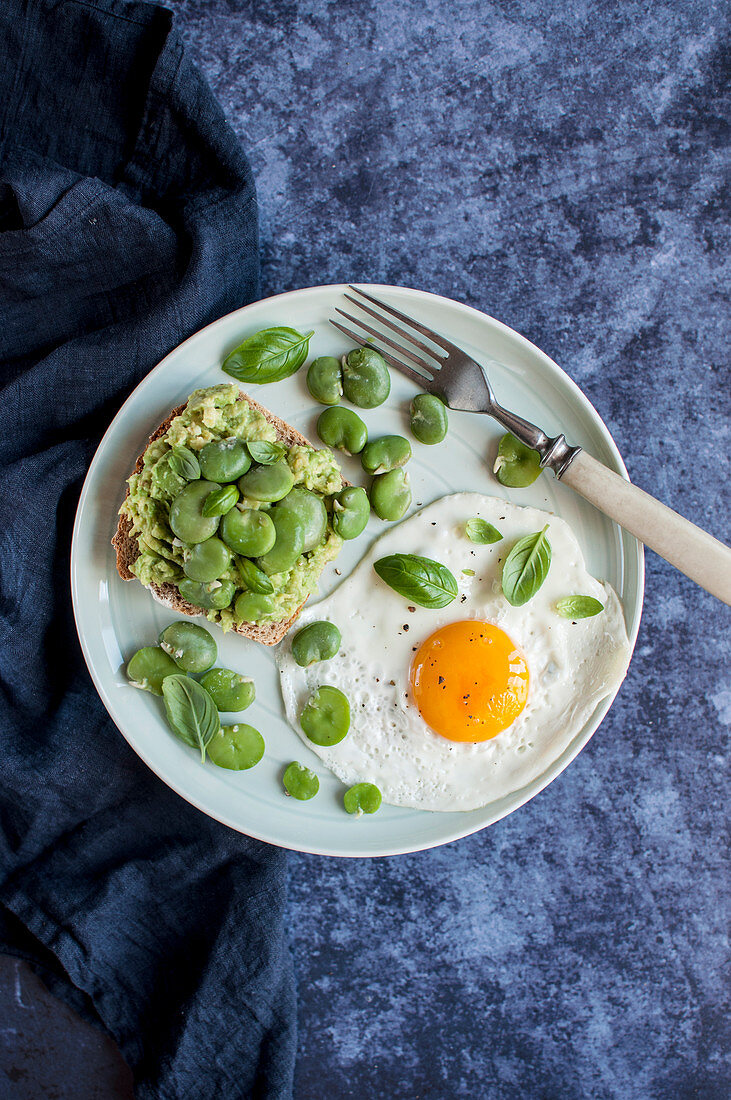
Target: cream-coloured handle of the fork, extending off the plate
column 692, row 551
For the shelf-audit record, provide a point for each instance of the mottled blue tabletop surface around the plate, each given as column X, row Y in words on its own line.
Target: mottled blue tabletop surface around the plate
column 559, row 167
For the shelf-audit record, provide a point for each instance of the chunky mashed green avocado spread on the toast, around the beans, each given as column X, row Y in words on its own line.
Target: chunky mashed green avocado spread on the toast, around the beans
column 216, row 414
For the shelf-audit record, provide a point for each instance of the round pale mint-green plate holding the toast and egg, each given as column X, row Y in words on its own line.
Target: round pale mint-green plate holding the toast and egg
column 115, row 619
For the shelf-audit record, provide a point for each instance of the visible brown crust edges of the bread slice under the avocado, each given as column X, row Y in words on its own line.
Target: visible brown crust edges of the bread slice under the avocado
column 126, row 545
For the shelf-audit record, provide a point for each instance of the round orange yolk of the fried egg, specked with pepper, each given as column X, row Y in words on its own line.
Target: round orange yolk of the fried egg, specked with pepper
column 470, row 681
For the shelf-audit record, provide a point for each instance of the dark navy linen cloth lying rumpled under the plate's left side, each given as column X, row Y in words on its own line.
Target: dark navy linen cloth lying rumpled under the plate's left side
column 128, row 221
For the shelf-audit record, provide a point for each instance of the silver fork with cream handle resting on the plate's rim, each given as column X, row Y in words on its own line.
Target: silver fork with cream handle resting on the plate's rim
column 441, row 368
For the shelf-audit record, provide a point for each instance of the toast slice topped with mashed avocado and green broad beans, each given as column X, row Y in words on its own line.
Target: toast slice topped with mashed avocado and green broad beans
column 149, row 551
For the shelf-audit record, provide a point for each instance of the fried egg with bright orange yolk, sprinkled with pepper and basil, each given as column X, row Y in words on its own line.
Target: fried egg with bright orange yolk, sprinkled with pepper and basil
column 456, row 708
